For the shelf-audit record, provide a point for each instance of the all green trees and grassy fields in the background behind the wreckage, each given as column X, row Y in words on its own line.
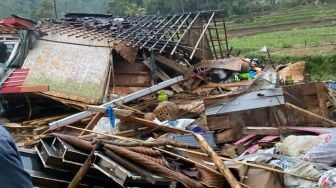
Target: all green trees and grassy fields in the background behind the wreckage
column 240, row 14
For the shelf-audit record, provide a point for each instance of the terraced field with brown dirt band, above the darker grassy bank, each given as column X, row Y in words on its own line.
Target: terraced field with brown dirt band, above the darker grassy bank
column 307, row 30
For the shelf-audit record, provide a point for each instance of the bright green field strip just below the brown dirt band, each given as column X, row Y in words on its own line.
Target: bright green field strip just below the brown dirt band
column 295, row 38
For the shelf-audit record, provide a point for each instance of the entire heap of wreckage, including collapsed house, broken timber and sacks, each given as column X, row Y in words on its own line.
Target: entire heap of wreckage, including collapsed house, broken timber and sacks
column 159, row 101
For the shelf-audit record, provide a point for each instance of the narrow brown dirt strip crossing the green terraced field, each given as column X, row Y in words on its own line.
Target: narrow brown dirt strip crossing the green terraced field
column 279, row 27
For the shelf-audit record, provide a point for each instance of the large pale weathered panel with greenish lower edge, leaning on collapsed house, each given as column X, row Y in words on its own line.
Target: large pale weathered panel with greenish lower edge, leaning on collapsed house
column 74, row 68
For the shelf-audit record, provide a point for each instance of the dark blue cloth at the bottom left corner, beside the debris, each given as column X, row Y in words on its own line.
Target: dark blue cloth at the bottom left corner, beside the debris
column 12, row 174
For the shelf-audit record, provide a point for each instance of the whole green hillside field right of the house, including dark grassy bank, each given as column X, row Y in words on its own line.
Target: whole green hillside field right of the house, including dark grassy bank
column 314, row 45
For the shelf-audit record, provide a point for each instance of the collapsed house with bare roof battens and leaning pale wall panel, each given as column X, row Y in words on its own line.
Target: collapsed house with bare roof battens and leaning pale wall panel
column 85, row 58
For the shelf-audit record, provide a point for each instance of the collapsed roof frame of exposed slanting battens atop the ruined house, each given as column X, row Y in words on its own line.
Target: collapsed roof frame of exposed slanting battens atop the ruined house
column 160, row 33
